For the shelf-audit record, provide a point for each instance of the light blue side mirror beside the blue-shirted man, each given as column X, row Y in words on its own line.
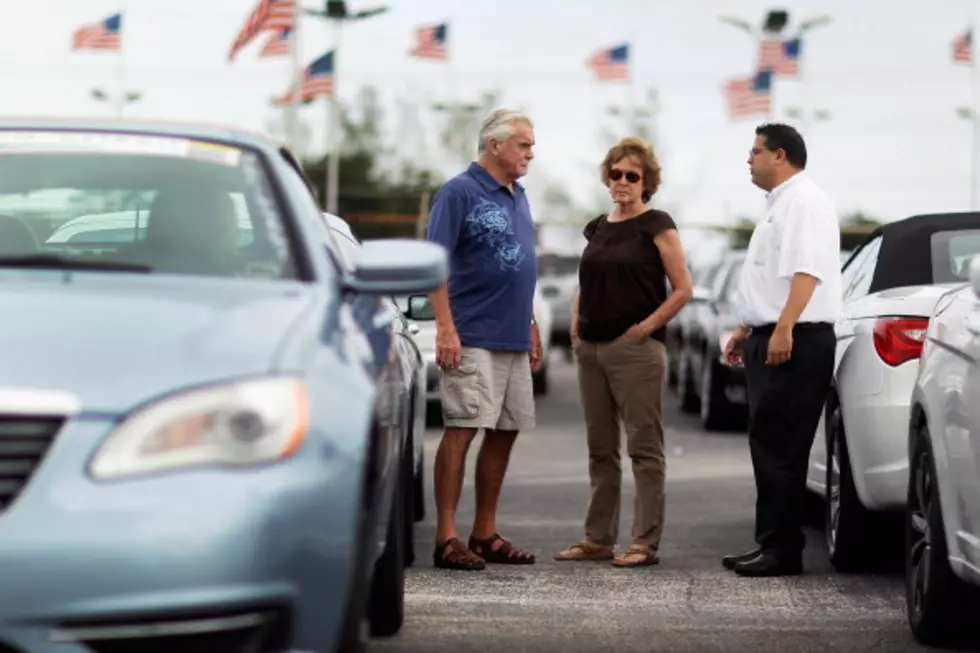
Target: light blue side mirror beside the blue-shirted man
column 397, row 266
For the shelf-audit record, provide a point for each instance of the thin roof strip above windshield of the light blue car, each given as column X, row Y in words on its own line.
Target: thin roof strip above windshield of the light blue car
column 186, row 129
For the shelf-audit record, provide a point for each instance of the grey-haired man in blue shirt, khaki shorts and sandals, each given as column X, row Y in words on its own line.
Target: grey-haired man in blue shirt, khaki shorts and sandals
column 487, row 341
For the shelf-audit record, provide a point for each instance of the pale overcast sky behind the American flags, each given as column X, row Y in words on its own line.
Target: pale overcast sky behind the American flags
column 892, row 147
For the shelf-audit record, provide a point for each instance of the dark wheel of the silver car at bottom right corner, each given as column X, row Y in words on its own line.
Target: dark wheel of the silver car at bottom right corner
column 940, row 606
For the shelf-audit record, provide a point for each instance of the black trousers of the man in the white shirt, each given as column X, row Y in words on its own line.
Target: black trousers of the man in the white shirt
column 785, row 402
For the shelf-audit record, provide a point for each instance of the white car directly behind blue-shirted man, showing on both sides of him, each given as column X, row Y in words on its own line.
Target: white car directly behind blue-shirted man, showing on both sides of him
column 419, row 312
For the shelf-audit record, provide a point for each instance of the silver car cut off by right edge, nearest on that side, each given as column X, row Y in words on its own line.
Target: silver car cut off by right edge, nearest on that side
column 942, row 515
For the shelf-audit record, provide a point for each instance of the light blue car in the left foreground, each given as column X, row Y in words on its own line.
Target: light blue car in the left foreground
column 206, row 422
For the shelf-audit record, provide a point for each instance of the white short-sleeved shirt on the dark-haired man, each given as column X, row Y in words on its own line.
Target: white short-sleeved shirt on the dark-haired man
column 800, row 233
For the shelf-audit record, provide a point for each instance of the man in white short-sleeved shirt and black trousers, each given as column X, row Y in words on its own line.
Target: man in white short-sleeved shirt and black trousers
column 789, row 298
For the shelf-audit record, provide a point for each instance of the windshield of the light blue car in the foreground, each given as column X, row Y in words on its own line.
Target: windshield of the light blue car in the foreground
column 119, row 202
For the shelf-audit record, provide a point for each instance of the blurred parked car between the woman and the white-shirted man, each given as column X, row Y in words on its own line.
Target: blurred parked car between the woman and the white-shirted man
column 705, row 385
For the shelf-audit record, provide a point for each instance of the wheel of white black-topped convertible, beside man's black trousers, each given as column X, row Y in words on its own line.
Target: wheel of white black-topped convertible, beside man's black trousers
column 847, row 521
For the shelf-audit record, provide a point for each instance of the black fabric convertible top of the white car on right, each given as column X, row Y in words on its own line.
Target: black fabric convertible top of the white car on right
column 905, row 257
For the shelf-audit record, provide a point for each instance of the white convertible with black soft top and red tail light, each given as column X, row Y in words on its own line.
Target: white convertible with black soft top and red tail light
column 858, row 462
